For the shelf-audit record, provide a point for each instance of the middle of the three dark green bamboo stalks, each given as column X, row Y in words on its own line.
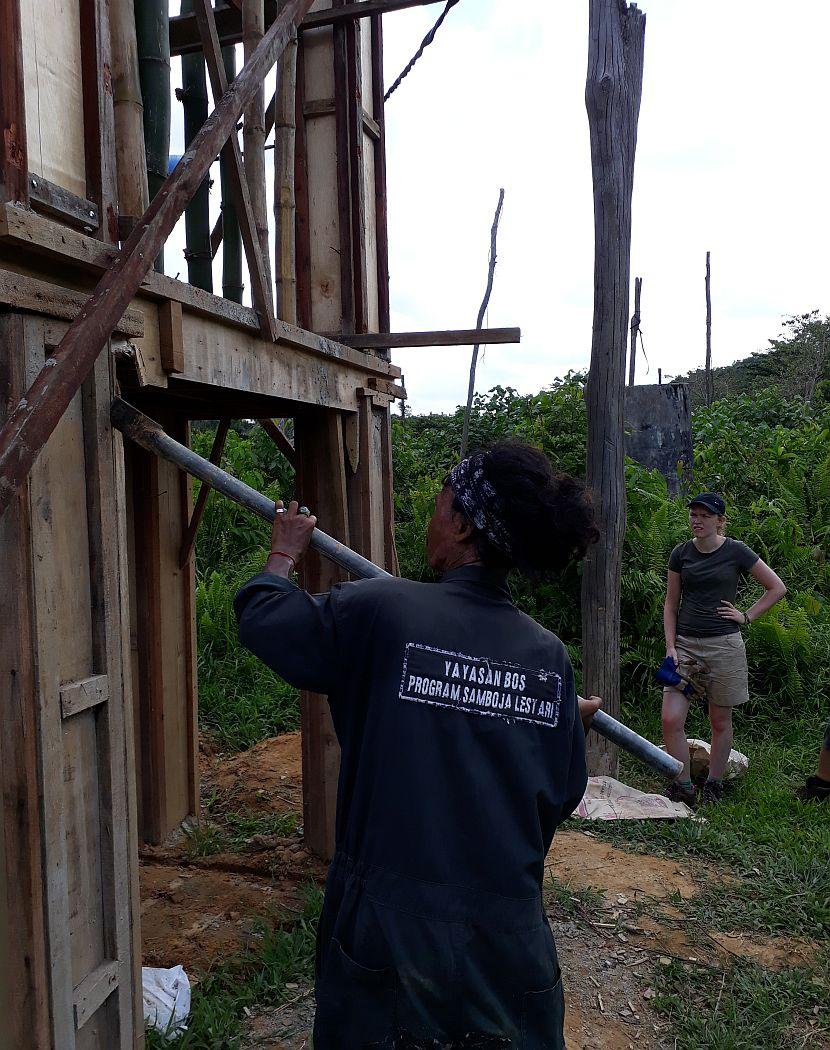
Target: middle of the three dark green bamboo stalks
column 195, row 106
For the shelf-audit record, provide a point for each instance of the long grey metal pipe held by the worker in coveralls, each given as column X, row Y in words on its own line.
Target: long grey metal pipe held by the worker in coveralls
column 147, row 433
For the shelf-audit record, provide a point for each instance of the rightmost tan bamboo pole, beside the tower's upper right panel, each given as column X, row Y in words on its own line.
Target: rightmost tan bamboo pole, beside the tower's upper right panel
column 285, row 198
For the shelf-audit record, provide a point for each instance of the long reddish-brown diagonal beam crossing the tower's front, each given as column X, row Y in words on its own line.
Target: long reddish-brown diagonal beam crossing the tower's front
column 39, row 411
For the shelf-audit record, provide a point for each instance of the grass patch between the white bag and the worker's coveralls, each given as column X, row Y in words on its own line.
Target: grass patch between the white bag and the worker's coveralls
column 253, row 979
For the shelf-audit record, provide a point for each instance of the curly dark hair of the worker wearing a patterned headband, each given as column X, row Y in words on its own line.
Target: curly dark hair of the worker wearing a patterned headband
column 550, row 516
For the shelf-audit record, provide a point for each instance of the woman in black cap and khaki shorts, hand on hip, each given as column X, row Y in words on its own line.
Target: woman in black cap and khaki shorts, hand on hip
column 703, row 636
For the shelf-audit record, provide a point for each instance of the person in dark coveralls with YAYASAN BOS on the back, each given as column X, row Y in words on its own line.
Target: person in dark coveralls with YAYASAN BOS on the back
column 463, row 751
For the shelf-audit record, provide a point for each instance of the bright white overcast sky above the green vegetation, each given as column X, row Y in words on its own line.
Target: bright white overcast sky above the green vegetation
column 733, row 158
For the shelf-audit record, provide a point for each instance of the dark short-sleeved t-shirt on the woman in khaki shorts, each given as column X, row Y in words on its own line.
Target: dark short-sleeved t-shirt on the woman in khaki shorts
column 708, row 580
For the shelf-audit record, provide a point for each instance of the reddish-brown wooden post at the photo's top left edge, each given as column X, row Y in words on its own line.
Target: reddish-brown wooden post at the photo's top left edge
column 14, row 164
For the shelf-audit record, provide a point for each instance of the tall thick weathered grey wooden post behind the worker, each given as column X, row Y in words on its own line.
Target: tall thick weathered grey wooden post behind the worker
column 613, row 94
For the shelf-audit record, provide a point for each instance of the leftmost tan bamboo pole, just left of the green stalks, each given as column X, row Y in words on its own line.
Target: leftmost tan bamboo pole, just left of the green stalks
column 129, row 109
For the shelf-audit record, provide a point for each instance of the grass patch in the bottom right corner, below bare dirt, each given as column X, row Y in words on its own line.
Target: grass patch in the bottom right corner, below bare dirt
column 745, row 1007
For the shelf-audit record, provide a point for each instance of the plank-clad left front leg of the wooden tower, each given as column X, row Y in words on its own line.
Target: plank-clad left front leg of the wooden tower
column 75, row 910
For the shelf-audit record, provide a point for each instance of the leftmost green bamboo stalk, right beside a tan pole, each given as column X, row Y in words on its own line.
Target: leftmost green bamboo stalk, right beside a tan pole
column 154, row 45
